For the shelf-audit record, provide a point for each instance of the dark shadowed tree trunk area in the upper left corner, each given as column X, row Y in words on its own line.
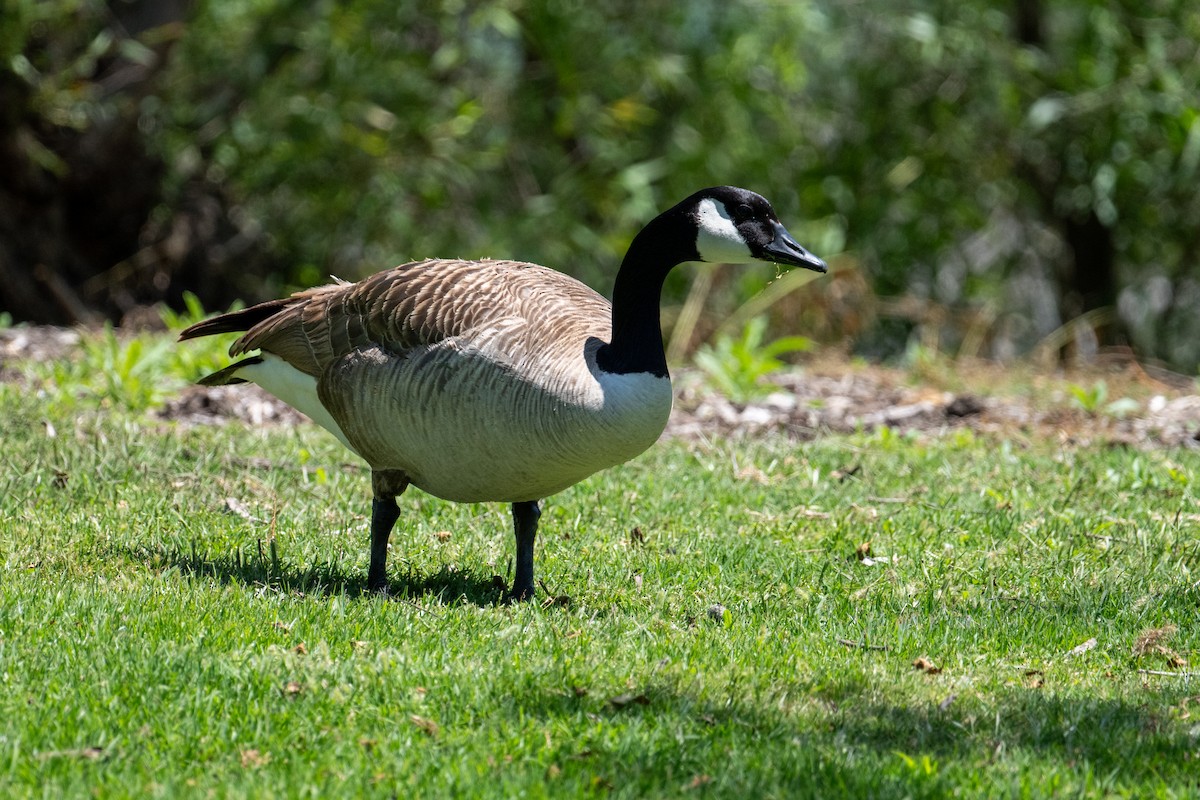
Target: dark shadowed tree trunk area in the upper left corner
column 82, row 232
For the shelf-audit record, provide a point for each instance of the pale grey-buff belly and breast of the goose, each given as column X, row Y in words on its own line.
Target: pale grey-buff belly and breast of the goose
column 471, row 431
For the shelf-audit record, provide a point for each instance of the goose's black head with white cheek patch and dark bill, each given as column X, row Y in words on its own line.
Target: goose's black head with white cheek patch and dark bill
column 735, row 226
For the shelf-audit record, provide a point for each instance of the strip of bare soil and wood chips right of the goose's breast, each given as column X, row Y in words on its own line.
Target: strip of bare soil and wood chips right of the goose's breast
column 842, row 399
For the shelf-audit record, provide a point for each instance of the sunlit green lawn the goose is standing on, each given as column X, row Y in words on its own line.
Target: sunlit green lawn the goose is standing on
column 154, row 643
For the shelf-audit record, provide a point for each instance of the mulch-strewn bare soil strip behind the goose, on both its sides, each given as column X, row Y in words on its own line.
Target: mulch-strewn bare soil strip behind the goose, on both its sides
column 821, row 399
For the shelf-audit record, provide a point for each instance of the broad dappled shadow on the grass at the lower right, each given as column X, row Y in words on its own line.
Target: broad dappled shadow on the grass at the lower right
column 1011, row 741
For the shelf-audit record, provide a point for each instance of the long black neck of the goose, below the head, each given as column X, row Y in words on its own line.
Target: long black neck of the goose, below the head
column 637, row 332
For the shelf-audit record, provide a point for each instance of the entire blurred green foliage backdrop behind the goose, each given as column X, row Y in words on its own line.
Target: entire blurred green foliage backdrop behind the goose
column 1029, row 163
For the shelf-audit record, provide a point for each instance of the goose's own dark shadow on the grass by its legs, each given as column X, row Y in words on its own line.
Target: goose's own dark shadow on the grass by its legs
column 266, row 569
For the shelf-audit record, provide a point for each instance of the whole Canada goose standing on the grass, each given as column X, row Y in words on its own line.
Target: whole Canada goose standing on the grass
column 493, row 381
